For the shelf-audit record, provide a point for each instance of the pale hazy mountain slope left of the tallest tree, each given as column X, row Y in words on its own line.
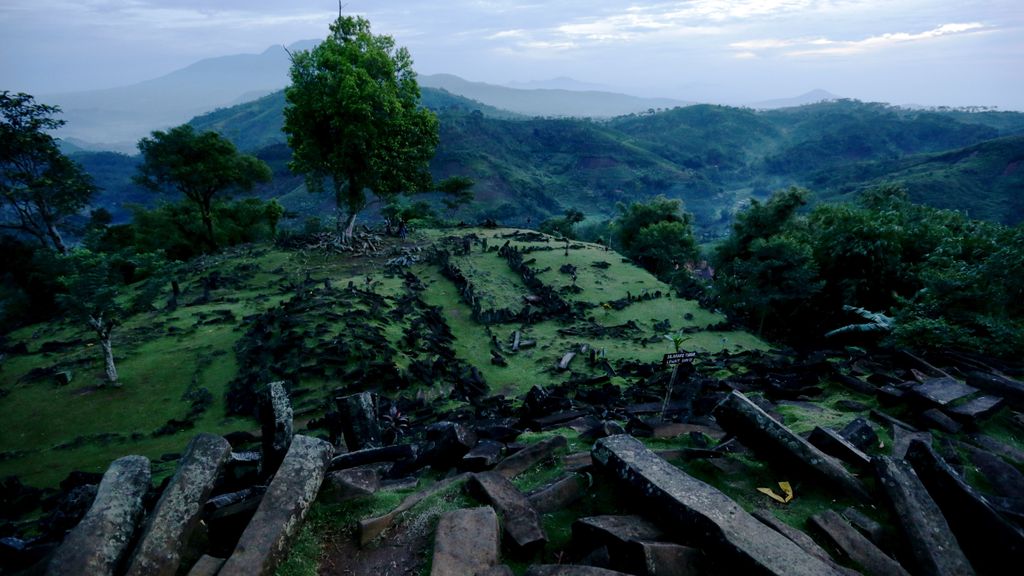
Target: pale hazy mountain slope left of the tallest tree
column 119, row 117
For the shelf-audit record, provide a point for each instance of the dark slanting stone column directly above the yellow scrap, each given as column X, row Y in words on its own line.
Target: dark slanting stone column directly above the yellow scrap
column 757, row 430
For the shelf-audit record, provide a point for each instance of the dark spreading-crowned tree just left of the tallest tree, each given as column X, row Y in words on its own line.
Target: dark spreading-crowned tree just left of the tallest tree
column 201, row 167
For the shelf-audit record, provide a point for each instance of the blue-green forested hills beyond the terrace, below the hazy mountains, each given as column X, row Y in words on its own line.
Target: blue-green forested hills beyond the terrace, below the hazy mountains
column 712, row 157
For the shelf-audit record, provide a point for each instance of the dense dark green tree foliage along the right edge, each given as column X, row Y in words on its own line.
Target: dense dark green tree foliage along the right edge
column 948, row 281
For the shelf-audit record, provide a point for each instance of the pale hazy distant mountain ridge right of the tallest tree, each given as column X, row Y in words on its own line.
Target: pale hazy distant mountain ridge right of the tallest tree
column 549, row 103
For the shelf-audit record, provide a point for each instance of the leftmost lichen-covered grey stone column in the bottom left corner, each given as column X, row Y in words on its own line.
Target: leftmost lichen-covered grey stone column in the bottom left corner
column 99, row 544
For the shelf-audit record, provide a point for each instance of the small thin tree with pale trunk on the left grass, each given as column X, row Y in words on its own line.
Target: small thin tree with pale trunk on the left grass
column 94, row 287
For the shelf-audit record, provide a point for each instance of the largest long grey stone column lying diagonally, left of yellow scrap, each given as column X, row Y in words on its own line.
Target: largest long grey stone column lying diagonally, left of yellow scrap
column 701, row 514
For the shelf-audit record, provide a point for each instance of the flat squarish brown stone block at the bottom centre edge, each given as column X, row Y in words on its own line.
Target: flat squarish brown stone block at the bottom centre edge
column 467, row 542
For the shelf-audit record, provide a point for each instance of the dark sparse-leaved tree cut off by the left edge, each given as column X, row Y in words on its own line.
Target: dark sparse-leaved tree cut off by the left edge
column 39, row 186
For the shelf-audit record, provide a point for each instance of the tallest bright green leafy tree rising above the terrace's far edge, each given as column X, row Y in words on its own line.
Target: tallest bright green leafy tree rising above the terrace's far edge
column 354, row 119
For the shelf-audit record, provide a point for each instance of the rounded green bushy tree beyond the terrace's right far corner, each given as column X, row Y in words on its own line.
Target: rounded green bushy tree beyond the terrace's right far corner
column 657, row 234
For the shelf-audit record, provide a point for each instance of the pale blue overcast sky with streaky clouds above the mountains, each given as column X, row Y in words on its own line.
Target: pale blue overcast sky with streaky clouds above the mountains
column 904, row 52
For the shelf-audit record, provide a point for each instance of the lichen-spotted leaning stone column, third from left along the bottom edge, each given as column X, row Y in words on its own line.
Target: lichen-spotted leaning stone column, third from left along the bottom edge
column 268, row 539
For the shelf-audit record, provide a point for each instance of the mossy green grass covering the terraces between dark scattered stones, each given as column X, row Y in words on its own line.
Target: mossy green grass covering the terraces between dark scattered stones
column 162, row 354
